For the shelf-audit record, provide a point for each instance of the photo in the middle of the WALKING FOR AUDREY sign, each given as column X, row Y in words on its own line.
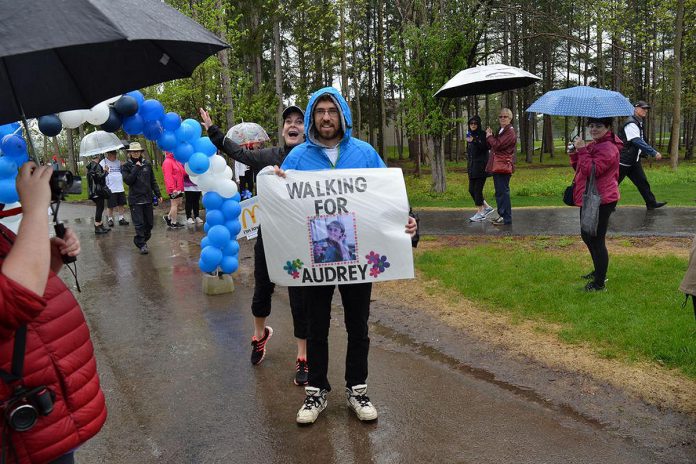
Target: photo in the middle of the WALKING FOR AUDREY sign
column 333, row 239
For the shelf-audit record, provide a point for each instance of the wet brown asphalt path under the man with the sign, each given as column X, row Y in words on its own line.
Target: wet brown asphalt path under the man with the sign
column 179, row 386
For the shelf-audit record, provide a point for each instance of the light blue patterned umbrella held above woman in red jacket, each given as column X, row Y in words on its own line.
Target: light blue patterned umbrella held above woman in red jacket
column 582, row 101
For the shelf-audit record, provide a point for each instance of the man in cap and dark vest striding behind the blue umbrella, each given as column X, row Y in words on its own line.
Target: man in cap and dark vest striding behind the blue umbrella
column 635, row 146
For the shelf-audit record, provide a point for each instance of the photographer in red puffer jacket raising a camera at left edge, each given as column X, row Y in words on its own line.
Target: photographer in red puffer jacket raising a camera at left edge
column 58, row 356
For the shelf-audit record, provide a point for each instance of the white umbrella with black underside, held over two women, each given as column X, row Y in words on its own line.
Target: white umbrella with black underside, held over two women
column 483, row 80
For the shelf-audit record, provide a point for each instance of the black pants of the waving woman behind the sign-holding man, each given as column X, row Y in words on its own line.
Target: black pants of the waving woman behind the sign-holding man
column 263, row 291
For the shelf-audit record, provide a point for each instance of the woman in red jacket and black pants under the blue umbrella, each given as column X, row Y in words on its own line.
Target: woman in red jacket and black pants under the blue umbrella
column 603, row 152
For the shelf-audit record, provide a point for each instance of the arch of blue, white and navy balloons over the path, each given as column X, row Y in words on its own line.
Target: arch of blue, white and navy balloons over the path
column 137, row 116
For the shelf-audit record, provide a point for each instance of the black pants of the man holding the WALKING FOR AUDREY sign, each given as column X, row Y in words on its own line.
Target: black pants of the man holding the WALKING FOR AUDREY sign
column 356, row 311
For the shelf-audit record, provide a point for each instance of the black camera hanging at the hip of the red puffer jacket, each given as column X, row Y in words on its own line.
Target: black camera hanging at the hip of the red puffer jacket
column 24, row 407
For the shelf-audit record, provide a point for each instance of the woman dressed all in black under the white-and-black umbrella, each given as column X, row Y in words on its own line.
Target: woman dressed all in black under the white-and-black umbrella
column 476, row 160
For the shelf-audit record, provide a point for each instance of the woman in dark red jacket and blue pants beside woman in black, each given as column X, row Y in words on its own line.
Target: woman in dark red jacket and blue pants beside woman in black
column 501, row 163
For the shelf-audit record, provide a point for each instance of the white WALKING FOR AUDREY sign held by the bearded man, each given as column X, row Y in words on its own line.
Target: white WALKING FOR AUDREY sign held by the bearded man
column 337, row 226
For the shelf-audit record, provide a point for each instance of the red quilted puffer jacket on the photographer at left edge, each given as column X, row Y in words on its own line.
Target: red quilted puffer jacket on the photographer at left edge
column 59, row 355
